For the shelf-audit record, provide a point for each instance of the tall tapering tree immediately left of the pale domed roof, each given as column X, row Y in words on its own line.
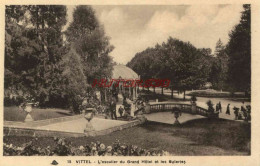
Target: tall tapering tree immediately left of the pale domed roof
column 88, row 38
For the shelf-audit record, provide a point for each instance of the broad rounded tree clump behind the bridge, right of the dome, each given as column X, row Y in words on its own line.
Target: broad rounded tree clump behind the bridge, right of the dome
column 175, row 60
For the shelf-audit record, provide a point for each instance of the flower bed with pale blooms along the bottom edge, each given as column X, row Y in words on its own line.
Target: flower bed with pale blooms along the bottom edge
column 64, row 148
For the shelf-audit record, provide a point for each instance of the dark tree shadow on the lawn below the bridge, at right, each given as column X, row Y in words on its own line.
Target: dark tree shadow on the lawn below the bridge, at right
column 226, row 134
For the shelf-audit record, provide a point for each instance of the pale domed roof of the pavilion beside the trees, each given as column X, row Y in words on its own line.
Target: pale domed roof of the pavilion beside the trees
column 124, row 72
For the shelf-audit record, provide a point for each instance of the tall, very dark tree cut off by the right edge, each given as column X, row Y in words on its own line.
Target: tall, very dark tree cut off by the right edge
column 239, row 52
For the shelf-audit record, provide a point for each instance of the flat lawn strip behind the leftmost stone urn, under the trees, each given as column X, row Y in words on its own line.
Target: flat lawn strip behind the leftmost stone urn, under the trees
column 13, row 114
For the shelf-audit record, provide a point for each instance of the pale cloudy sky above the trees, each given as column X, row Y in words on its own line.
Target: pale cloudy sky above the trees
column 133, row 28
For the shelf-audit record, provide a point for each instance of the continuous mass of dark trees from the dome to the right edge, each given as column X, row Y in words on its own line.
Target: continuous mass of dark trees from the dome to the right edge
column 187, row 67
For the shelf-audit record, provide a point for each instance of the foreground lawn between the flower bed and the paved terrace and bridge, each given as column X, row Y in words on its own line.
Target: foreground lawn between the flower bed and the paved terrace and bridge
column 197, row 137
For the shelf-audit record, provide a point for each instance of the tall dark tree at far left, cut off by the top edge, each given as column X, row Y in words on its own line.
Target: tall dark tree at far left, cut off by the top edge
column 35, row 47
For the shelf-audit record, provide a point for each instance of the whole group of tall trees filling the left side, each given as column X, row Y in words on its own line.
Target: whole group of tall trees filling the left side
column 54, row 67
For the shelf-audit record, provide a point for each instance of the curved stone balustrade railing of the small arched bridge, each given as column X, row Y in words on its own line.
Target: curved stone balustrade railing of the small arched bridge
column 186, row 108
